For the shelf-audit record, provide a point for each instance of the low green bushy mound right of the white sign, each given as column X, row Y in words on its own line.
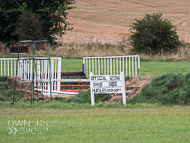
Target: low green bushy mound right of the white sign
column 166, row 89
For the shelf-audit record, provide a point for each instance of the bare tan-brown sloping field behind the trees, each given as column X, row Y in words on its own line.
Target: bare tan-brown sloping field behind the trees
column 107, row 21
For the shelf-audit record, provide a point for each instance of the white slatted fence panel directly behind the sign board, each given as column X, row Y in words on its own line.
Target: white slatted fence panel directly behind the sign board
column 114, row 65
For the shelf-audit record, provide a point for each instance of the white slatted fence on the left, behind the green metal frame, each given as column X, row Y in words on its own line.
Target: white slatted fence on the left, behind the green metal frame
column 41, row 70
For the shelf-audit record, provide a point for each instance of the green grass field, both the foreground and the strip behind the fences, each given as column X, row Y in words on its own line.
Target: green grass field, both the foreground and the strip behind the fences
column 72, row 122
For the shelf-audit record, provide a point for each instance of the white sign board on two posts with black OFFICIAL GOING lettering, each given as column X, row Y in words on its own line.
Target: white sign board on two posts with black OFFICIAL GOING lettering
column 107, row 84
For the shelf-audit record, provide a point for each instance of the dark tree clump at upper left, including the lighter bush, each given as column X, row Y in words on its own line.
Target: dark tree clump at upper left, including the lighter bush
column 33, row 19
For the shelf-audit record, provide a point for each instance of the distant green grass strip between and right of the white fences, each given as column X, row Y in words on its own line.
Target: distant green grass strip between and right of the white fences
column 147, row 68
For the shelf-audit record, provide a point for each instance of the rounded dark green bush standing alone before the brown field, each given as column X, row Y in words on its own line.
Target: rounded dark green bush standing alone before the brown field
column 153, row 34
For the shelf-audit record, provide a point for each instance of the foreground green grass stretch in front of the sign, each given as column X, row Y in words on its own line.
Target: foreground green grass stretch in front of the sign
column 158, row 125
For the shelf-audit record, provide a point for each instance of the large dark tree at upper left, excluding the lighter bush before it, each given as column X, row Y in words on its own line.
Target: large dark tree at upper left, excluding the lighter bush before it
column 51, row 13
